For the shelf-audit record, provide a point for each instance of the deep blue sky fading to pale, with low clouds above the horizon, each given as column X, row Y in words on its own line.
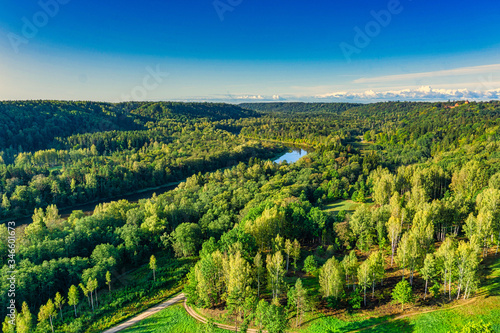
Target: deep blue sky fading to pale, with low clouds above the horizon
column 242, row 50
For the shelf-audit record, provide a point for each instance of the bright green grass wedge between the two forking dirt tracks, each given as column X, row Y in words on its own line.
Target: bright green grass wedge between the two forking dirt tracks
column 173, row 319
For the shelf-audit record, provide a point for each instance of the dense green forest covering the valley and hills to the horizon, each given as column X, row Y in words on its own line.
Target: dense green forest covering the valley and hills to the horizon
column 250, row 242
